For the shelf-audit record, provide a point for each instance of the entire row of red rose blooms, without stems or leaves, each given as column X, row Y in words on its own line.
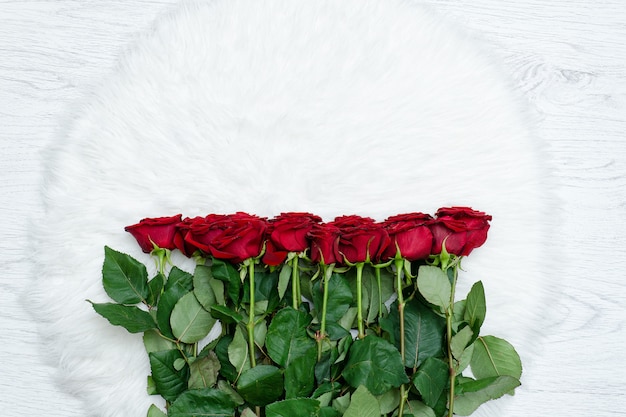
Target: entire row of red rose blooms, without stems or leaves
column 347, row 239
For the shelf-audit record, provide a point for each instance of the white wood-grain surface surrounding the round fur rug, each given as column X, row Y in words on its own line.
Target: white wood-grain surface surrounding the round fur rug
column 567, row 57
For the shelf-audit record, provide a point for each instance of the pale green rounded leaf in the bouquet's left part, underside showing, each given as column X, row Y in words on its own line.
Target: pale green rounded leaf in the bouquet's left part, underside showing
column 190, row 322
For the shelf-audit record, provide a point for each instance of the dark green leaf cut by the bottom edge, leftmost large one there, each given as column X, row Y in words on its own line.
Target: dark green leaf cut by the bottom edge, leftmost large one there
column 207, row 402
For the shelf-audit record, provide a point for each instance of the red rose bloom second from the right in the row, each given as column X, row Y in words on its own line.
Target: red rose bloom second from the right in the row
column 409, row 233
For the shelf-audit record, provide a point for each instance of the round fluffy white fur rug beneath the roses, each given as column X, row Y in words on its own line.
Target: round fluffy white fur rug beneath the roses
column 372, row 107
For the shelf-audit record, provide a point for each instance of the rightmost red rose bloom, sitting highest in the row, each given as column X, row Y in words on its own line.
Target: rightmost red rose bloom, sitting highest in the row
column 463, row 228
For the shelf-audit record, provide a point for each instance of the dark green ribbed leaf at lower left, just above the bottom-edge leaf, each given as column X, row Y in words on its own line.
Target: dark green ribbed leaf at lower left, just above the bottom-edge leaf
column 168, row 381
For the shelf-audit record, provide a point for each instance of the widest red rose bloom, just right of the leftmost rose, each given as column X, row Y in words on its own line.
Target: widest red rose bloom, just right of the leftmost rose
column 234, row 237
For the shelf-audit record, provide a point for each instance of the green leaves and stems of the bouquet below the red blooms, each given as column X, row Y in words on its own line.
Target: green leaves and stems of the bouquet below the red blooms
column 300, row 372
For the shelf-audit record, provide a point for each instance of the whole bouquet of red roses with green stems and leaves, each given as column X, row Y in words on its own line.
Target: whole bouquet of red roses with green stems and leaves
column 292, row 316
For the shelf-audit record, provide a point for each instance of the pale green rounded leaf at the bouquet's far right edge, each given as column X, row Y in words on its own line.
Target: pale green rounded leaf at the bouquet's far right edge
column 494, row 357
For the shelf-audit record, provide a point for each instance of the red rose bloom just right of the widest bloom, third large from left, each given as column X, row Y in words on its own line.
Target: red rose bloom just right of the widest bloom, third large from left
column 288, row 233
